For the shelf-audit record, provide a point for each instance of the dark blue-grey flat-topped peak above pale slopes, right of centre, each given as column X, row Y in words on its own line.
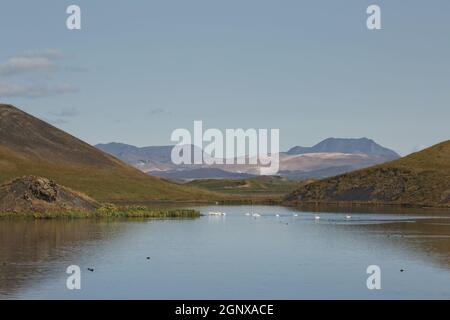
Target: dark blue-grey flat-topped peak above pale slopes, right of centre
column 347, row 145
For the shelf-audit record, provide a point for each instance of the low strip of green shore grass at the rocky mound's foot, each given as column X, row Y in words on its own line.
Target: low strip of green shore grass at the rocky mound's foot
column 107, row 211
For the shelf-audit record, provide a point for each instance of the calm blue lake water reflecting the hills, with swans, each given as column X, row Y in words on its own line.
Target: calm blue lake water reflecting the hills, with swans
column 232, row 257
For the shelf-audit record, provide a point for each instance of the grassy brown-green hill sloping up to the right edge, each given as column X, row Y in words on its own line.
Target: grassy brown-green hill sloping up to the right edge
column 422, row 178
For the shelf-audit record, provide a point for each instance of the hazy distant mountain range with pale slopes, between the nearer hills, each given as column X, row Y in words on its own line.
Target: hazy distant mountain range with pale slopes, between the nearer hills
column 330, row 157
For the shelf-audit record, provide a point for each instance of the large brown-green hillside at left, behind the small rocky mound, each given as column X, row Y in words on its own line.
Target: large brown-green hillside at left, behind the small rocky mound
column 29, row 146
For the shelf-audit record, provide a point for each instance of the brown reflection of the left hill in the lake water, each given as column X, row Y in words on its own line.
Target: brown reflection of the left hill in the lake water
column 26, row 246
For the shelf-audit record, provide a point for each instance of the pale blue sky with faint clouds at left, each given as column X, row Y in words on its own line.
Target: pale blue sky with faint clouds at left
column 137, row 70
